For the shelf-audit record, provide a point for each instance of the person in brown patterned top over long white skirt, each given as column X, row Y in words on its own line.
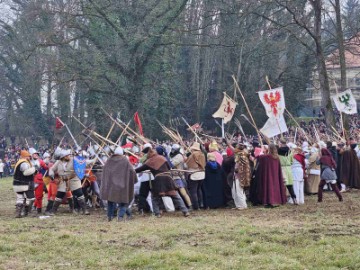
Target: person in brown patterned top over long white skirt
column 242, row 176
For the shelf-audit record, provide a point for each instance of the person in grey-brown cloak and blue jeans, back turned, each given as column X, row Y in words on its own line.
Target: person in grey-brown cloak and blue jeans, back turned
column 117, row 184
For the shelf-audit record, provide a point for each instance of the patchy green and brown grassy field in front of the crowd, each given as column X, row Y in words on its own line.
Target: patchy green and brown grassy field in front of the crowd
column 314, row 236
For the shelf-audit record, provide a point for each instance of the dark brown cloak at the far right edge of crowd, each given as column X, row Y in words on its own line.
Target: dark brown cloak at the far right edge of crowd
column 350, row 169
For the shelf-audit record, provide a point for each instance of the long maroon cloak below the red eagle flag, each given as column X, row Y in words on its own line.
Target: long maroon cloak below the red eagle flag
column 270, row 188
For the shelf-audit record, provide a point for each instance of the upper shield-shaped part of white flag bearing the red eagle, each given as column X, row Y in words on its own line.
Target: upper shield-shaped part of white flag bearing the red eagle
column 273, row 101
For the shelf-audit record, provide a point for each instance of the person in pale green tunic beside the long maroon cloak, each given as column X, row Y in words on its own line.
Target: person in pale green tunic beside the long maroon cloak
column 286, row 159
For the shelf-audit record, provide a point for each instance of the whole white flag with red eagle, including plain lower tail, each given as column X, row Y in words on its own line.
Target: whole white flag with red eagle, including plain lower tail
column 274, row 104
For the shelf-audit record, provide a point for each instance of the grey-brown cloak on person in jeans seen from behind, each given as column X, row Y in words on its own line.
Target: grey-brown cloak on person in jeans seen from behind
column 118, row 180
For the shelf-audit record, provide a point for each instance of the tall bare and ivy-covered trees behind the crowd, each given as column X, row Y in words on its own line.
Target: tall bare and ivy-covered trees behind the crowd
column 162, row 58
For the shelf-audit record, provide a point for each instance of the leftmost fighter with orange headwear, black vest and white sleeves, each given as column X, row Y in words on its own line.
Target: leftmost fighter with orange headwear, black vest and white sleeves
column 23, row 184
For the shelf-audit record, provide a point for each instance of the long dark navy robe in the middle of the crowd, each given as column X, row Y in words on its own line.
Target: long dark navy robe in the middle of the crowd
column 213, row 186
